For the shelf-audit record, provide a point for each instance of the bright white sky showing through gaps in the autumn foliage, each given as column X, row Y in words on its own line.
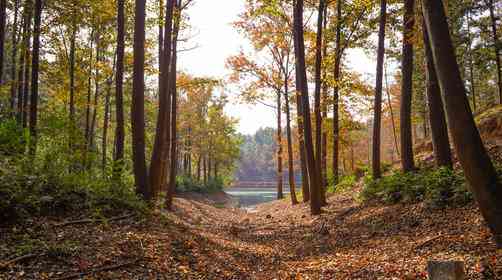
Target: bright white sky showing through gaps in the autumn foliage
column 215, row 40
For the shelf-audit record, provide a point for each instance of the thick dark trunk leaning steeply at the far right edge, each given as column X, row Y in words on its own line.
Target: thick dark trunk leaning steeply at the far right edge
column 471, row 152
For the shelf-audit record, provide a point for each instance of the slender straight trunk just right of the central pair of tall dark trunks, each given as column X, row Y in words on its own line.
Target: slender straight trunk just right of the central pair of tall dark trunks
column 336, row 96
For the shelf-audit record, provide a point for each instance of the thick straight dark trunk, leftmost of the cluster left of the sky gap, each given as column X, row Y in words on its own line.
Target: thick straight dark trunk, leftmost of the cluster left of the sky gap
column 138, row 105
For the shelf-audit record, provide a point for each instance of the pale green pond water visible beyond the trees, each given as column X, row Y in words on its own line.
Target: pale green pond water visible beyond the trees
column 251, row 196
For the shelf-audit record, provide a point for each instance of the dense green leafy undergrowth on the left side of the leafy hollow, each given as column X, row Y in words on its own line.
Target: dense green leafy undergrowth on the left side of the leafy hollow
column 43, row 185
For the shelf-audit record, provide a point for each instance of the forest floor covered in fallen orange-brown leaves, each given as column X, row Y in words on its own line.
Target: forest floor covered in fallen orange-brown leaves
column 205, row 238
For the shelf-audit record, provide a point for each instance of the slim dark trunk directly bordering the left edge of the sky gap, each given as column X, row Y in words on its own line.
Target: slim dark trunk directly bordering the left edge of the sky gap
column 174, row 104
